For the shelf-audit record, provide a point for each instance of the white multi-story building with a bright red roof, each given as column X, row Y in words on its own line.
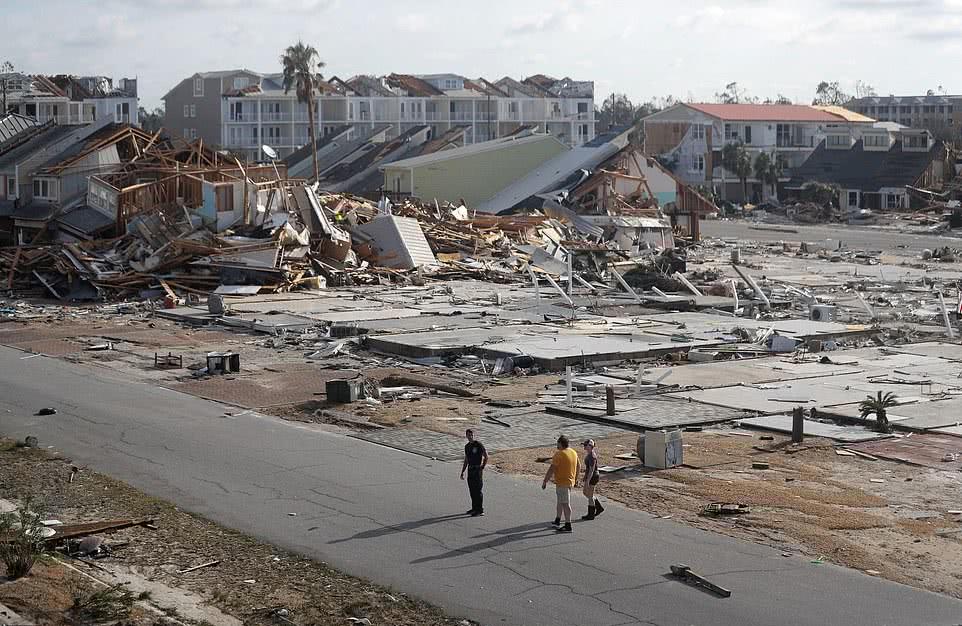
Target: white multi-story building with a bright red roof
column 691, row 137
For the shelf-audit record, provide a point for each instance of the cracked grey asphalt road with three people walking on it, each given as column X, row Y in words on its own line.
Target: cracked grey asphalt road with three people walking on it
column 396, row 518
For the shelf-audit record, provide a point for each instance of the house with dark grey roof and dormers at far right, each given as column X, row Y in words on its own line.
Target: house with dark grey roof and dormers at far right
column 875, row 171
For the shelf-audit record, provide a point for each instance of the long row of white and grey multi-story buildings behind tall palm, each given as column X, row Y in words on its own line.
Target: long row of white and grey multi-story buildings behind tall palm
column 242, row 110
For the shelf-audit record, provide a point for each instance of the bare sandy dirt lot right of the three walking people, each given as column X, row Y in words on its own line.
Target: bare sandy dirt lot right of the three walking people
column 810, row 501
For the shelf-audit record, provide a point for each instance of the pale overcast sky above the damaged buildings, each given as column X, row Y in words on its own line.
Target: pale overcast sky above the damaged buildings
column 645, row 49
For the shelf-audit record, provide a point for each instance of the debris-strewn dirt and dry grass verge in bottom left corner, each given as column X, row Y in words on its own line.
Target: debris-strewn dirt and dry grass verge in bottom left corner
column 251, row 579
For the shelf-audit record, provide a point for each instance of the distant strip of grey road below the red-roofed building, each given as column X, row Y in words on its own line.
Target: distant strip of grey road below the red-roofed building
column 852, row 236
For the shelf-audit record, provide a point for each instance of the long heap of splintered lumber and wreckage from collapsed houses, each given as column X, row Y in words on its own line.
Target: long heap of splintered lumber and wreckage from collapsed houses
column 290, row 235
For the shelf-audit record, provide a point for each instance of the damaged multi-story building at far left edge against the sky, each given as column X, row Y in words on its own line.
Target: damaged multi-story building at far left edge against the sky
column 70, row 100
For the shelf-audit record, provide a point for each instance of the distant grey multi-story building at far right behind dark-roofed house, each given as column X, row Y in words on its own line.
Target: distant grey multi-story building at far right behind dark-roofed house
column 939, row 114
